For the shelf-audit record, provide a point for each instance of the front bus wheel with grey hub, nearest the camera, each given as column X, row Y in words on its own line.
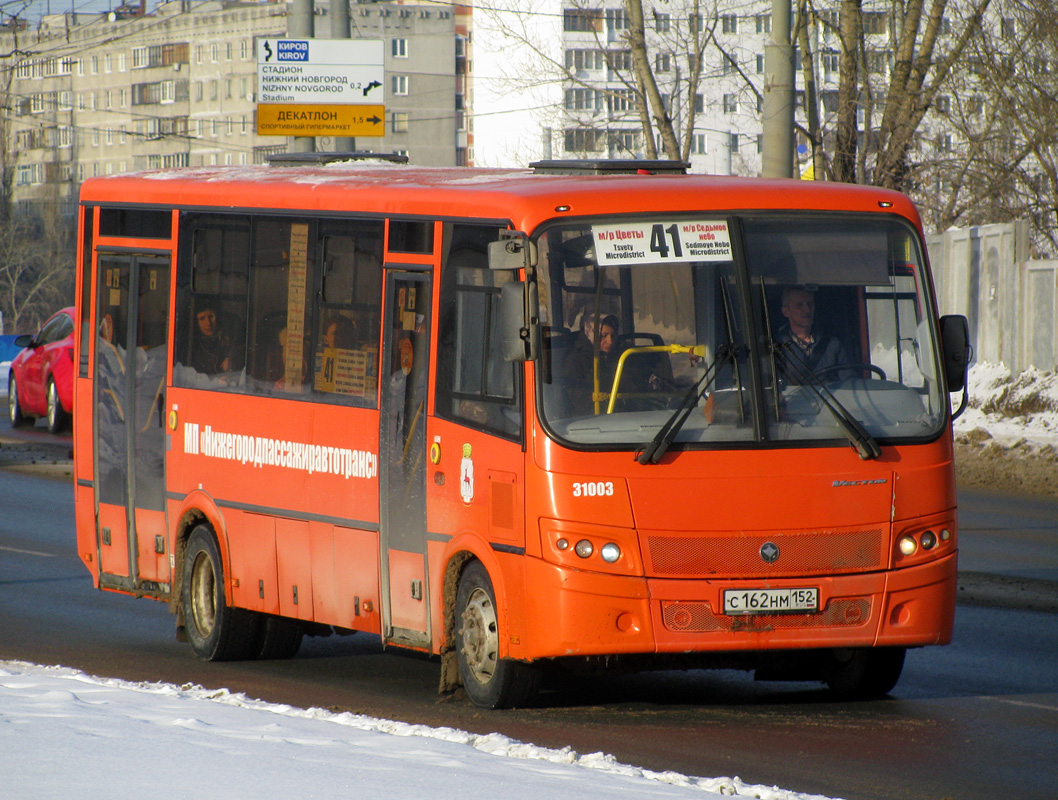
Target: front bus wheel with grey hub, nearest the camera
column 489, row 681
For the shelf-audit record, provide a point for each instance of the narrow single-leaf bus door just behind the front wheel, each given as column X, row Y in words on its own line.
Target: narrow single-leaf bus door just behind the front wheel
column 403, row 451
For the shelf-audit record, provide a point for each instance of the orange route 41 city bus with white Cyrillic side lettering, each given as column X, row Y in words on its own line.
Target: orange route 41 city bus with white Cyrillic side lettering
column 578, row 415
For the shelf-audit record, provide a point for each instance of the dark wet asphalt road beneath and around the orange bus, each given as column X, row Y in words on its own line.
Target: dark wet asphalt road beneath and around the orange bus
column 975, row 720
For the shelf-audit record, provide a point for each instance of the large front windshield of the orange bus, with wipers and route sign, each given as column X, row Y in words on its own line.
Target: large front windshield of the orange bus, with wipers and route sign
column 719, row 331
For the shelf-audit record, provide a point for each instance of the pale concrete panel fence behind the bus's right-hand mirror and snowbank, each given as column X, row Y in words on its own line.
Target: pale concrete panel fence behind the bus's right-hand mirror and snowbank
column 1010, row 301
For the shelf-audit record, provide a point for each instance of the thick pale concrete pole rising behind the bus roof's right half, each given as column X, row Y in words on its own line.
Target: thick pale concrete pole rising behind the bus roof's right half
column 778, row 144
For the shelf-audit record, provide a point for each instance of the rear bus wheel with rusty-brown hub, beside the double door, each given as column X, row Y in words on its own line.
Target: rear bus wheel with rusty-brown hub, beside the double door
column 216, row 631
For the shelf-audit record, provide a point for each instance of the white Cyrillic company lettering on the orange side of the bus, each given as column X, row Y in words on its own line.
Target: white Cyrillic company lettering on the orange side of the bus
column 262, row 451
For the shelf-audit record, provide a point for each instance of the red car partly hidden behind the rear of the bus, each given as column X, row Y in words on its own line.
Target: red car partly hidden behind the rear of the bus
column 41, row 384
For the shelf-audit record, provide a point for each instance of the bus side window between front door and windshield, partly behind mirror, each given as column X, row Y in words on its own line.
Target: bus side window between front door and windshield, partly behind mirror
column 476, row 386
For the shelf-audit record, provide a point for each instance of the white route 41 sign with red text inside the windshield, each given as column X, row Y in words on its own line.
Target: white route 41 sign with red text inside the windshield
column 629, row 244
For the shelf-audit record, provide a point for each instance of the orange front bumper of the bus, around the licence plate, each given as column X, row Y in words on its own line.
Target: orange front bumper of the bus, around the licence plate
column 579, row 614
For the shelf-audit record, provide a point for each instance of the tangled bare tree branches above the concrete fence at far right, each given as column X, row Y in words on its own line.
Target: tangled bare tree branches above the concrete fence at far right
column 996, row 153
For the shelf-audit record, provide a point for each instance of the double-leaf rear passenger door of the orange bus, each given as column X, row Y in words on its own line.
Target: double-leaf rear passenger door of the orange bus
column 132, row 347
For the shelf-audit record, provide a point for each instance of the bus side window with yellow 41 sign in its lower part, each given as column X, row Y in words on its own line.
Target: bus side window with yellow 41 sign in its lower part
column 346, row 354
